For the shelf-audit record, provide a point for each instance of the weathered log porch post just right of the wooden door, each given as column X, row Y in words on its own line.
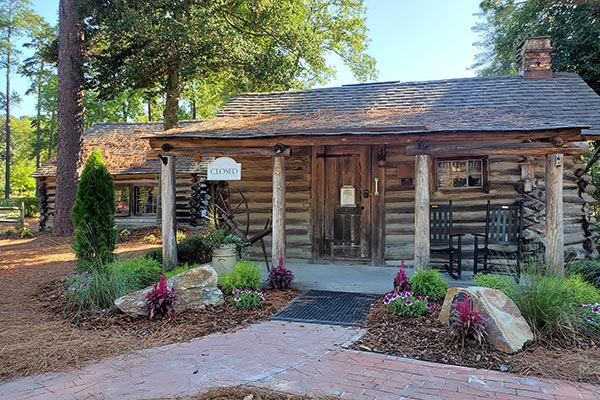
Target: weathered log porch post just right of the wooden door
column 421, row 212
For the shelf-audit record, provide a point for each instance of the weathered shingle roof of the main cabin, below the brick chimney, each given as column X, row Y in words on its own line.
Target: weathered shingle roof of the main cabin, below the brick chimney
column 503, row 103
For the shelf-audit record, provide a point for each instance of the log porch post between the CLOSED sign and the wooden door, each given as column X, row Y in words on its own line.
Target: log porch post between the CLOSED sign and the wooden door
column 278, row 236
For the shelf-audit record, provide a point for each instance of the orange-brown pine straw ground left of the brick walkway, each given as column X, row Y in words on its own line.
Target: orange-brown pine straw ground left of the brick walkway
column 39, row 334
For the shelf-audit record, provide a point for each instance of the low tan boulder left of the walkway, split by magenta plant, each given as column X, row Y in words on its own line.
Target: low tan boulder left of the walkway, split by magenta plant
column 196, row 289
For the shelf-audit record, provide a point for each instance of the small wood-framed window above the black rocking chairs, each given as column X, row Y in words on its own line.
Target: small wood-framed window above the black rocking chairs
column 461, row 174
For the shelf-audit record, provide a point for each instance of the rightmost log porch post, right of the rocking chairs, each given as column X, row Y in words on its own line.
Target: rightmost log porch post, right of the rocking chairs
column 555, row 254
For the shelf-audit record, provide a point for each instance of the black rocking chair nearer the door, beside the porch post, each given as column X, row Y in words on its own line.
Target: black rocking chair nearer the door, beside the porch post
column 442, row 238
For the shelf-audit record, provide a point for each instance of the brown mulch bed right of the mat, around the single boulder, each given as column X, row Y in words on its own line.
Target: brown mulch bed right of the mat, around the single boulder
column 425, row 338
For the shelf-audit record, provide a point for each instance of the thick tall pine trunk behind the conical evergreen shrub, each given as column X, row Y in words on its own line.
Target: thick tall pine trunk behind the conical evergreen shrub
column 70, row 114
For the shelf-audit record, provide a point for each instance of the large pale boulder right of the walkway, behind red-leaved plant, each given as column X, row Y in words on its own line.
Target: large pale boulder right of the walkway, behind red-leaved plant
column 506, row 329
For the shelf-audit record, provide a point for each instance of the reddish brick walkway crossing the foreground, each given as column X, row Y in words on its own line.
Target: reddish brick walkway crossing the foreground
column 293, row 357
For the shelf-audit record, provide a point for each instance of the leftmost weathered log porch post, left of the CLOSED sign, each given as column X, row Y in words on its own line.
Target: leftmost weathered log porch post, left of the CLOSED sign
column 168, row 213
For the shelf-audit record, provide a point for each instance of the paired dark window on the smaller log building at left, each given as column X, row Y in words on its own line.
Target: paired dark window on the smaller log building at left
column 135, row 200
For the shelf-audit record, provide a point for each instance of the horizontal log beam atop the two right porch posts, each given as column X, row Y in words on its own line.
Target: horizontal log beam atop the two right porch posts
column 507, row 149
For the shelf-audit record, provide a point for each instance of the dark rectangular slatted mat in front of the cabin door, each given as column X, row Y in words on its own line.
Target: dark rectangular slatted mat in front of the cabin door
column 322, row 306
